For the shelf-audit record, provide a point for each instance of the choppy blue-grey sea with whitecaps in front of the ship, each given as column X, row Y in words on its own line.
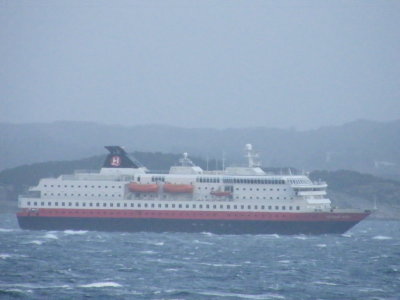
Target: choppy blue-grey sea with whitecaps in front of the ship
column 361, row 264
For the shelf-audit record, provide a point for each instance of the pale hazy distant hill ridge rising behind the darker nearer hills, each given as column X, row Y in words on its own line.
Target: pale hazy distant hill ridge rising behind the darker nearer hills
column 364, row 146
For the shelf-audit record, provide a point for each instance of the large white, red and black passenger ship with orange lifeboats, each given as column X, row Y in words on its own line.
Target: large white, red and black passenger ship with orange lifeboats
column 125, row 196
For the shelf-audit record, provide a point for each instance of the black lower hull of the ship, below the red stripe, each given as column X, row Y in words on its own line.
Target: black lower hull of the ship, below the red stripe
column 186, row 225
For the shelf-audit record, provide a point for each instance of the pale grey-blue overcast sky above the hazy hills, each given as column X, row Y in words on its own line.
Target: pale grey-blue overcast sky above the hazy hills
column 301, row 64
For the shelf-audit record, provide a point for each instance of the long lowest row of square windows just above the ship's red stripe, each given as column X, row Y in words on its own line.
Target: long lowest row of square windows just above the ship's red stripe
column 159, row 205
